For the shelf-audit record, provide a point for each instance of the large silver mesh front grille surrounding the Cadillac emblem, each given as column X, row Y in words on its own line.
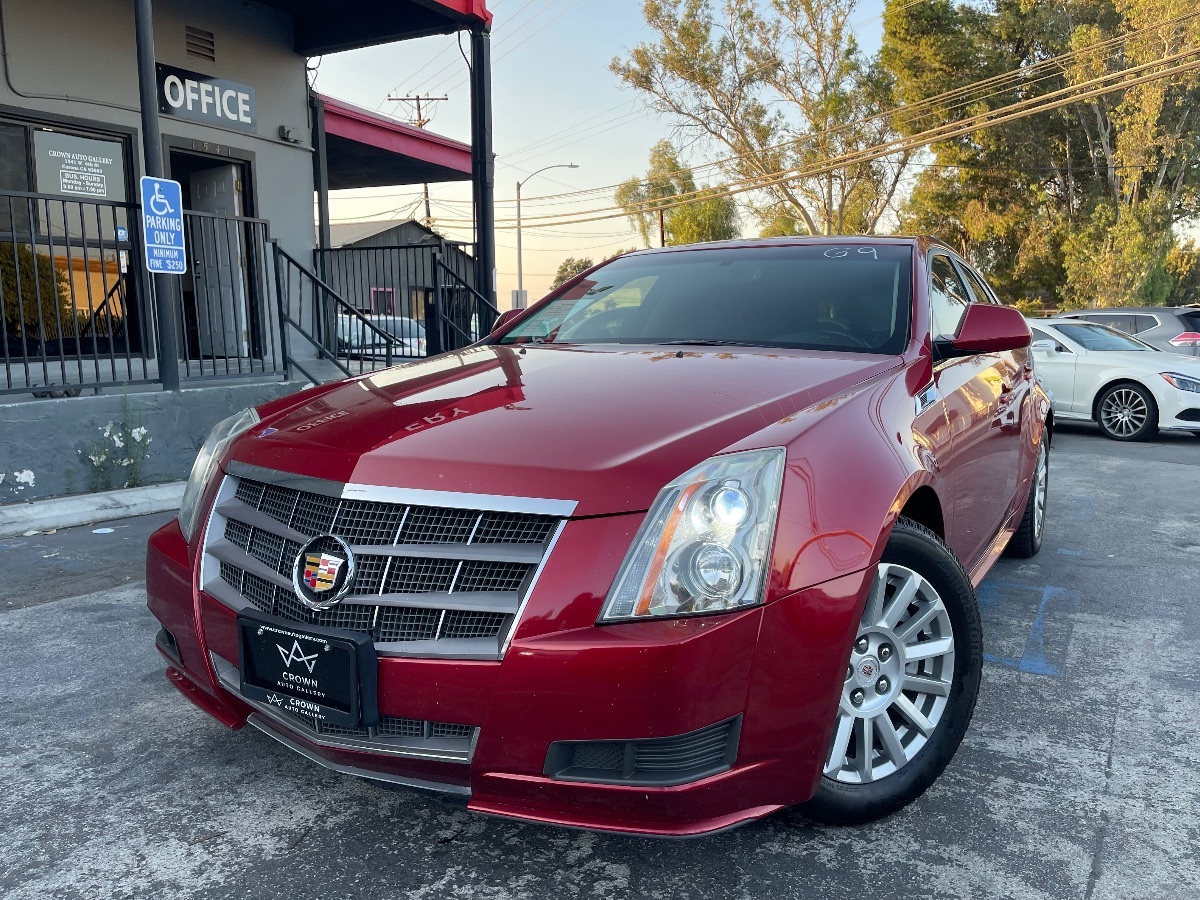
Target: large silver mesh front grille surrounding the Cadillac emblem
column 429, row 581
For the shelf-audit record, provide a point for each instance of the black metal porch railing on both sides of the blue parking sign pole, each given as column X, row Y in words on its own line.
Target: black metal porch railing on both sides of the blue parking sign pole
column 80, row 310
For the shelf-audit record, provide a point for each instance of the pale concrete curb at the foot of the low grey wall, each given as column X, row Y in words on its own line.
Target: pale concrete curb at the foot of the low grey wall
column 85, row 509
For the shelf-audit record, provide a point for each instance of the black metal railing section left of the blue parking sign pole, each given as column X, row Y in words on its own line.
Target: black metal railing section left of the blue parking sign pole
column 75, row 310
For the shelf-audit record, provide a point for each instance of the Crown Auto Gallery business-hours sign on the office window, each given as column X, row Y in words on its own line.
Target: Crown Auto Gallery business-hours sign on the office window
column 79, row 167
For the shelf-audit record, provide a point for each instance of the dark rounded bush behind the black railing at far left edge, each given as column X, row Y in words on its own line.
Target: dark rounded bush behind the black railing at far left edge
column 33, row 287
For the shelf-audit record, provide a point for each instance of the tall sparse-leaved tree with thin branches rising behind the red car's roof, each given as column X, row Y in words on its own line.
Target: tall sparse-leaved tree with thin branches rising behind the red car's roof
column 775, row 86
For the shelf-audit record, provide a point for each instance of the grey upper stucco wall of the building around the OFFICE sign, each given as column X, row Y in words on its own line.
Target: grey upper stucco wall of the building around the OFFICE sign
column 79, row 59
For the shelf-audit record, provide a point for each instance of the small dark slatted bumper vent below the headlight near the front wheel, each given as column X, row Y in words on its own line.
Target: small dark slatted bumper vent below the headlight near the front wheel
column 647, row 763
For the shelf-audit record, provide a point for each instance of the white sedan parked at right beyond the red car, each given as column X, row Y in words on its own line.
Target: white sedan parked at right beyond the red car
column 1129, row 388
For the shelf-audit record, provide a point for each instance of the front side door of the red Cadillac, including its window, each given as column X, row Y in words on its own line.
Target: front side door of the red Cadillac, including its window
column 983, row 454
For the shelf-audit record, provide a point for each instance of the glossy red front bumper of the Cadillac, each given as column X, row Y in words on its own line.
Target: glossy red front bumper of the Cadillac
column 776, row 671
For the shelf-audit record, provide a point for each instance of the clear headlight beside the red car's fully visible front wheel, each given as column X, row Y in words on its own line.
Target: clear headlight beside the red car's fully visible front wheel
column 705, row 543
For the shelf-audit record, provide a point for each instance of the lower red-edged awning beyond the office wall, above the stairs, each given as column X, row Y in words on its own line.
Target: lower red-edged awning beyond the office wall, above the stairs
column 365, row 149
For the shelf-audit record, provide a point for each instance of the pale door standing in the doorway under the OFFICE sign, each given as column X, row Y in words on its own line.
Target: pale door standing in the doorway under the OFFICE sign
column 220, row 257
